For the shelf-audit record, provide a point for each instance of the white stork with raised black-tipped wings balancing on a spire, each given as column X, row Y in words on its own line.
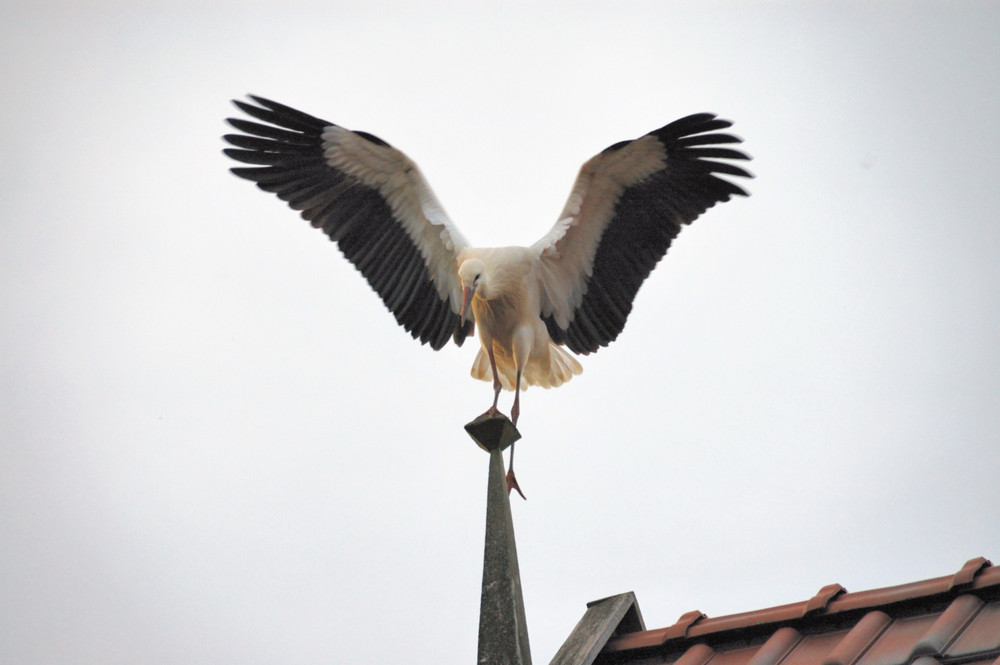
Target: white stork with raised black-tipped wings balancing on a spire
column 574, row 287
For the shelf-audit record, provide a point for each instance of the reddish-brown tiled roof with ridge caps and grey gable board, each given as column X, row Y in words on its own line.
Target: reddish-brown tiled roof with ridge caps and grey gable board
column 951, row 620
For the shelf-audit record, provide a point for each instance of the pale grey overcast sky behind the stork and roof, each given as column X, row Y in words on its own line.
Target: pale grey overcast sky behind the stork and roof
column 216, row 446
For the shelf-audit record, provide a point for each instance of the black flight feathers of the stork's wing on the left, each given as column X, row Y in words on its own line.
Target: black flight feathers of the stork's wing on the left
column 285, row 149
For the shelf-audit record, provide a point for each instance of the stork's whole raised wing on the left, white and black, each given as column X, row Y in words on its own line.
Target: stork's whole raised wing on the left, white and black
column 371, row 200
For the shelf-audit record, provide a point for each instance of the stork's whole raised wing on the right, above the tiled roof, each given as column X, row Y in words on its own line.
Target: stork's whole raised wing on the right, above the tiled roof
column 628, row 203
